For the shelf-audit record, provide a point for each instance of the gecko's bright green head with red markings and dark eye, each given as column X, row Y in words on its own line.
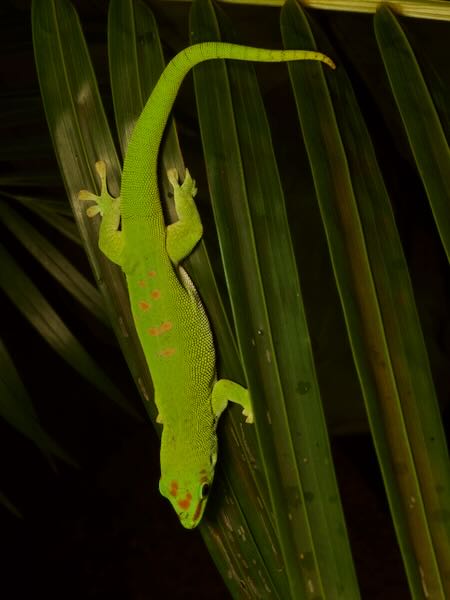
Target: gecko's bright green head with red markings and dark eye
column 187, row 485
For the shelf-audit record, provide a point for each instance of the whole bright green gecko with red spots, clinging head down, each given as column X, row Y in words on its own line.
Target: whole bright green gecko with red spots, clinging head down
column 168, row 314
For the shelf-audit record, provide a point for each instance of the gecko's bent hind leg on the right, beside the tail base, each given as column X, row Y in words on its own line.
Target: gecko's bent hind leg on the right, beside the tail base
column 185, row 234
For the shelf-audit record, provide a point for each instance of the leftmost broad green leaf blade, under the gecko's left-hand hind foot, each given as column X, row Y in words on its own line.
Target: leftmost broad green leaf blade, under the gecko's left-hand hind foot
column 81, row 136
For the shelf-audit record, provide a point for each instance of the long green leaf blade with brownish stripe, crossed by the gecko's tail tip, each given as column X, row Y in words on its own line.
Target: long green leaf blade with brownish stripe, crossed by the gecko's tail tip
column 352, row 267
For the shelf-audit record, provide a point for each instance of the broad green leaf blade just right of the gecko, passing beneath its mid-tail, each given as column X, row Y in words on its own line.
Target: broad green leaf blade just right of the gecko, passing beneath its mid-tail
column 271, row 329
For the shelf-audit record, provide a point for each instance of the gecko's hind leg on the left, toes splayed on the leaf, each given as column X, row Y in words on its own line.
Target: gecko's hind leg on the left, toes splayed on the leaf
column 110, row 239
